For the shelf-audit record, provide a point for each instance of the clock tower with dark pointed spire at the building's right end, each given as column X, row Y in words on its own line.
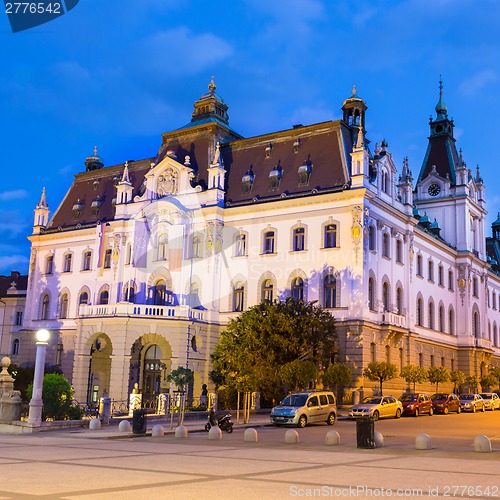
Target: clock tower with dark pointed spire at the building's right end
column 446, row 189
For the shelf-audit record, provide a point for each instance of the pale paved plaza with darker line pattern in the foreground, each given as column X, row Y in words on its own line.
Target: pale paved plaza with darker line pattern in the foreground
column 105, row 463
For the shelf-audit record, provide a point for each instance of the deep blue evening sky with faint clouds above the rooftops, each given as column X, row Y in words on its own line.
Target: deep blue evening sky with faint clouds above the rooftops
column 118, row 73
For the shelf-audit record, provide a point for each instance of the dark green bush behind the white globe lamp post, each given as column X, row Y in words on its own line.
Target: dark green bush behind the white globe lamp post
column 57, row 396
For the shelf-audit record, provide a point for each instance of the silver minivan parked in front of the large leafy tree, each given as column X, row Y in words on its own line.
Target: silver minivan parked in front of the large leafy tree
column 305, row 407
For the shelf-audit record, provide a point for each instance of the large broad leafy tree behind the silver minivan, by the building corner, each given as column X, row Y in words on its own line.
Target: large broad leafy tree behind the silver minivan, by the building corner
column 266, row 337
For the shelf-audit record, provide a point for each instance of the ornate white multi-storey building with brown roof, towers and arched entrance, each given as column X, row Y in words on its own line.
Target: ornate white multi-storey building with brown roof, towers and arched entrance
column 143, row 263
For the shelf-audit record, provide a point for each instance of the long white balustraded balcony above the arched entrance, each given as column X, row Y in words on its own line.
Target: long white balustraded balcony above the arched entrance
column 126, row 309
